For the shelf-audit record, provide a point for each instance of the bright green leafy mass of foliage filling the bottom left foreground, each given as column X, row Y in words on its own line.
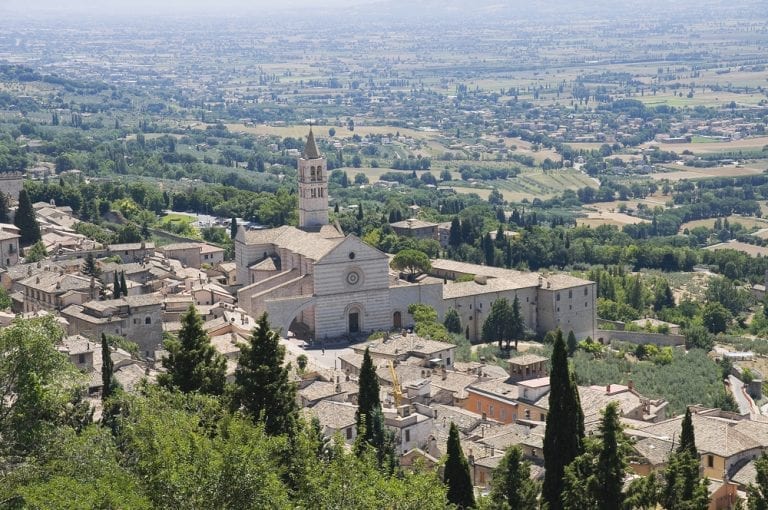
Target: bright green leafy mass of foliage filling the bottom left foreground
column 174, row 450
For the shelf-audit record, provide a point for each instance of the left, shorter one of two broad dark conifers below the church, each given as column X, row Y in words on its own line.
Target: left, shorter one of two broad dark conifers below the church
column 193, row 364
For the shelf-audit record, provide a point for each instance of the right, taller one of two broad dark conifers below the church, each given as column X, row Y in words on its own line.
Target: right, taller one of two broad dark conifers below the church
column 263, row 388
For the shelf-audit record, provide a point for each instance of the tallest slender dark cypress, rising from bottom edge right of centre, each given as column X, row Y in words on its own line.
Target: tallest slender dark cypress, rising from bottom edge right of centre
column 563, row 437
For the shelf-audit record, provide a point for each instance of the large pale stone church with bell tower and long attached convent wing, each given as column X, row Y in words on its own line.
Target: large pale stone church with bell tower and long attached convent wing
column 322, row 284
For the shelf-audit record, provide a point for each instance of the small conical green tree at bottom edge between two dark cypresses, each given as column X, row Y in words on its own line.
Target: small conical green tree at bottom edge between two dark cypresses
column 511, row 485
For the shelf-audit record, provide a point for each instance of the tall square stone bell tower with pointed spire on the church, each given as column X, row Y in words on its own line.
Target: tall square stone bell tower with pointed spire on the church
column 313, row 186
